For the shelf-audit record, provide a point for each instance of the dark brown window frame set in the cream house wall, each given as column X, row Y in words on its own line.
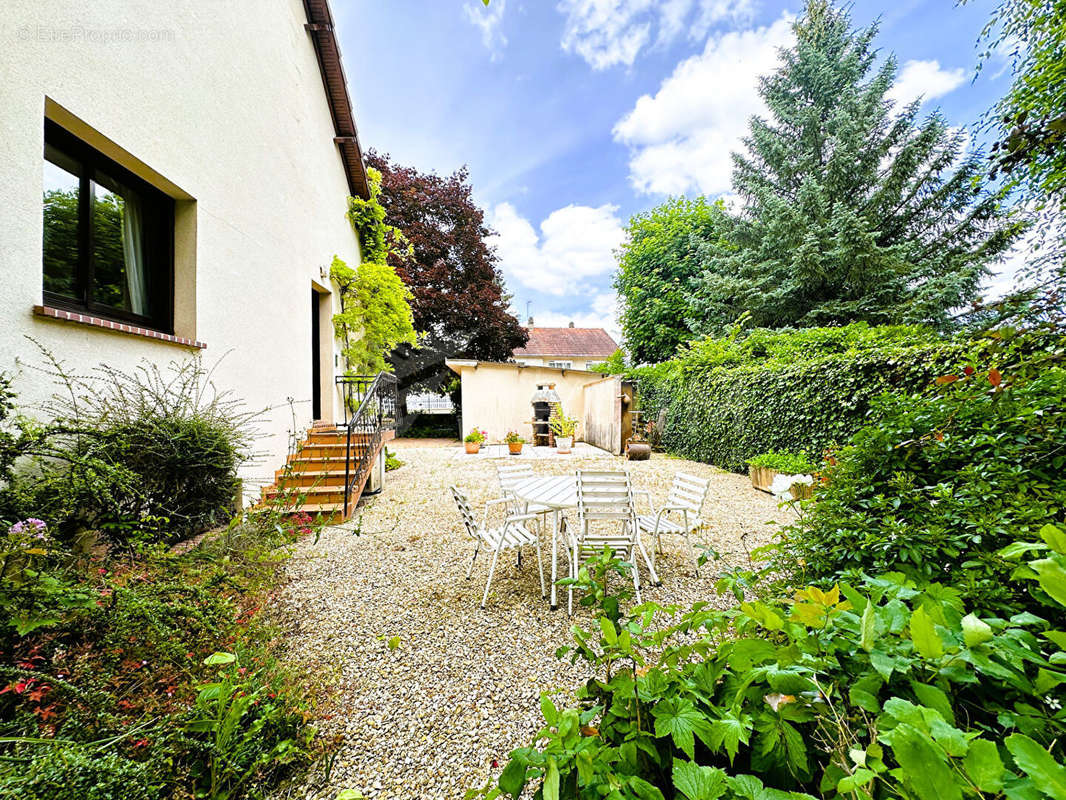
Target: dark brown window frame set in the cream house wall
column 158, row 238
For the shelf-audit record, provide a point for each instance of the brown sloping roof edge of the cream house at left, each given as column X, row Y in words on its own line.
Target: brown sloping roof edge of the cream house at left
column 320, row 26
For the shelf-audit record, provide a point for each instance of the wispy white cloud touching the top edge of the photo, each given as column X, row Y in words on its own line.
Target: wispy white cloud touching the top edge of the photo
column 610, row 33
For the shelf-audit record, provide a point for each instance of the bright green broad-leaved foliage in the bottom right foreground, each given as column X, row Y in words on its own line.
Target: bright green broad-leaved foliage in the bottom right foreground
column 882, row 690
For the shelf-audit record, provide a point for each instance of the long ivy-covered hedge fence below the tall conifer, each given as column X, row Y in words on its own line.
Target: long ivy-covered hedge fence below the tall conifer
column 798, row 392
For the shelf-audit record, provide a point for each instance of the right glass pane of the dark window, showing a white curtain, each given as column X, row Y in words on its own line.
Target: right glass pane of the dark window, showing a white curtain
column 119, row 276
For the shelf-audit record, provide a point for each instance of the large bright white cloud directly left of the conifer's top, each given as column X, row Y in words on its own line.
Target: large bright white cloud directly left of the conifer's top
column 682, row 138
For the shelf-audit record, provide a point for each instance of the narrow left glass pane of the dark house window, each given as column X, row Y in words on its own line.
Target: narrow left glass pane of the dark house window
column 62, row 198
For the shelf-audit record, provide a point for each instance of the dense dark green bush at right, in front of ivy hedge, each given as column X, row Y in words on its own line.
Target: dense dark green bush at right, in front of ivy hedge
column 942, row 484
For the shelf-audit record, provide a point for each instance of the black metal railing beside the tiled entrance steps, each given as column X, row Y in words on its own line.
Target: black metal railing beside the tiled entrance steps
column 375, row 413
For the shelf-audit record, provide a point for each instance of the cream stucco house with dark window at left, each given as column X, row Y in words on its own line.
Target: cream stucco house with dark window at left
column 174, row 181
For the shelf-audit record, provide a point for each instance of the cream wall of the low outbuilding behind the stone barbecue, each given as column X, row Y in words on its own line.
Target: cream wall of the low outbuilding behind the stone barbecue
column 497, row 397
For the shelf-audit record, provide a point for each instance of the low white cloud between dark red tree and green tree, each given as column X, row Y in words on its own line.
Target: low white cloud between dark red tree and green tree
column 574, row 246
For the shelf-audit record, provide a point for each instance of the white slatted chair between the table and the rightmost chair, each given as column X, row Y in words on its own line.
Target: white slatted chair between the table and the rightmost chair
column 607, row 518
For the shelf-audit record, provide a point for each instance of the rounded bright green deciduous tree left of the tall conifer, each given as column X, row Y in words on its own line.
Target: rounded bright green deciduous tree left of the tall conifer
column 657, row 266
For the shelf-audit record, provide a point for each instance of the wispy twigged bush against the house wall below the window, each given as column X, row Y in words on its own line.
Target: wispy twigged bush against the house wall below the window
column 153, row 453
